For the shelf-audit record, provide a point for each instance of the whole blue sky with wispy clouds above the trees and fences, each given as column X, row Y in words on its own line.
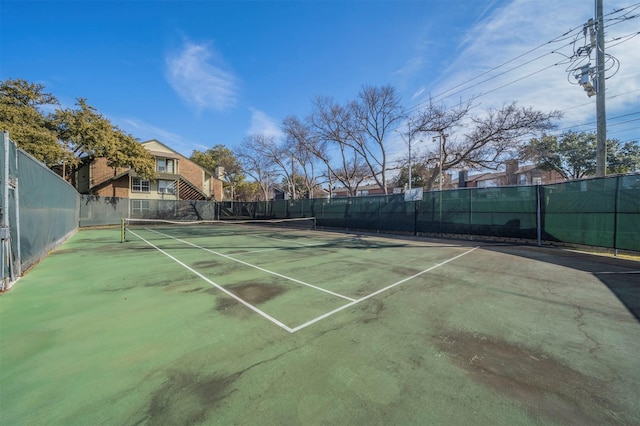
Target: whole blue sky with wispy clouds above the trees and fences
column 195, row 74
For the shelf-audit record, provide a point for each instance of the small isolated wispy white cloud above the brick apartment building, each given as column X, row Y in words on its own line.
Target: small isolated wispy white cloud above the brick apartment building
column 198, row 79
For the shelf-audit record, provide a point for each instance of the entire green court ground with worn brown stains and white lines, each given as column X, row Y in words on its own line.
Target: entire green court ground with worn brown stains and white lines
column 207, row 325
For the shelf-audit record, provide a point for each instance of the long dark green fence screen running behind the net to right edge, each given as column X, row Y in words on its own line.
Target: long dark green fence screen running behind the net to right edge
column 601, row 212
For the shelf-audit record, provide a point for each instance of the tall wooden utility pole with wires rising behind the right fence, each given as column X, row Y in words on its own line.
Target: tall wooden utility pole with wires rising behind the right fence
column 601, row 114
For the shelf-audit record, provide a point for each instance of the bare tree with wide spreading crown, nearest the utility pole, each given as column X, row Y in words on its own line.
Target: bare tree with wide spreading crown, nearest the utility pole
column 475, row 142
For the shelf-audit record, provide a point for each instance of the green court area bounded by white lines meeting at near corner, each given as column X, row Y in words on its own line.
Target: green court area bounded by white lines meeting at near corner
column 314, row 275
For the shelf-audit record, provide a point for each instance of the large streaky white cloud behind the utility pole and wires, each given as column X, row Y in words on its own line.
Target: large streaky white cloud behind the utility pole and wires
column 540, row 79
